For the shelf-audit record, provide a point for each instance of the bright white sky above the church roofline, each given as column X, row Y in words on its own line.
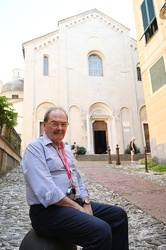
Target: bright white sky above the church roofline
column 24, row 20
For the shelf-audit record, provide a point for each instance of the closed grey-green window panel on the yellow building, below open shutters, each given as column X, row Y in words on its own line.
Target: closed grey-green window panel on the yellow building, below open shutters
column 158, row 75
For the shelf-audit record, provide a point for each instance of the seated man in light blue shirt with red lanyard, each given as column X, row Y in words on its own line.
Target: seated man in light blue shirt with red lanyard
column 58, row 198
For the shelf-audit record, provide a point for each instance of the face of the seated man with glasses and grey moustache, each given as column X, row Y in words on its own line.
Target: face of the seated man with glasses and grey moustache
column 56, row 126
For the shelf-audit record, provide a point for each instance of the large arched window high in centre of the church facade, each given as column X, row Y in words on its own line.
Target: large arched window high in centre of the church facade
column 95, row 65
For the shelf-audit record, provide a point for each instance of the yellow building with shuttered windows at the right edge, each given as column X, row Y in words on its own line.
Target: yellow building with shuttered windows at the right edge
column 150, row 20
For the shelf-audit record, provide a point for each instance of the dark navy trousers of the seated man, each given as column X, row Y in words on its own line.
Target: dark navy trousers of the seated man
column 106, row 230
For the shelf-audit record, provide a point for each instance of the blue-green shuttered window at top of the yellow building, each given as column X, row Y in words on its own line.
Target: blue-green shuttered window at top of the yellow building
column 149, row 19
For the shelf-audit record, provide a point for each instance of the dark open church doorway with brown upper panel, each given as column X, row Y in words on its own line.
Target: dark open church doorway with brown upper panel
column 100, row 137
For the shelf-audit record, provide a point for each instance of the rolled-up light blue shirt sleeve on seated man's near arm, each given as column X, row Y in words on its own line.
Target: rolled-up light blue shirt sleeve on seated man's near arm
column 39, row 182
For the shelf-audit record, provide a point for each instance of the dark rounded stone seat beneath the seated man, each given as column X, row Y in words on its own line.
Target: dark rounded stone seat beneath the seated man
column 35, row 241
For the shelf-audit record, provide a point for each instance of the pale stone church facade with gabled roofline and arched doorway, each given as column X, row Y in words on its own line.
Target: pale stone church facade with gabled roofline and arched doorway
column 90, row 66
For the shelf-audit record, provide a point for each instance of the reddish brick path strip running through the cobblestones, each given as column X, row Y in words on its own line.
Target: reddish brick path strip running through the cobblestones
column 147, row 195
